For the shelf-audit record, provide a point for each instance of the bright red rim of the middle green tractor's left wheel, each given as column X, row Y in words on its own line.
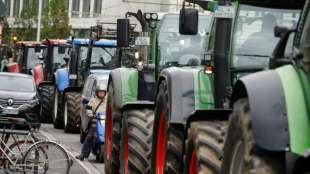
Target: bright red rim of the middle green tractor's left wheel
column 161, row 144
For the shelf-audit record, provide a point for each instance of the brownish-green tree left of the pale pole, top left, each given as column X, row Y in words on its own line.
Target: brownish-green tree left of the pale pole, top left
column 26, row 23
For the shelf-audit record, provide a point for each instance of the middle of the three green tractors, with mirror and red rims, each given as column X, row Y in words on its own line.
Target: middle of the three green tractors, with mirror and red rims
column 192, row 103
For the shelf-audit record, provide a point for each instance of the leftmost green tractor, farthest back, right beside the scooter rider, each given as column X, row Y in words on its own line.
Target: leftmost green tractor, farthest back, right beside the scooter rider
column 131, row 88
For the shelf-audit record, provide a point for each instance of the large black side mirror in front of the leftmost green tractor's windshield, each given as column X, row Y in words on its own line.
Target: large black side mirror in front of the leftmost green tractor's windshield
column 188, row 21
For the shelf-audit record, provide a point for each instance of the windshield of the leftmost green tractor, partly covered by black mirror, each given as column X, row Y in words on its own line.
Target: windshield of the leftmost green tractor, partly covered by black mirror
column 182, row 50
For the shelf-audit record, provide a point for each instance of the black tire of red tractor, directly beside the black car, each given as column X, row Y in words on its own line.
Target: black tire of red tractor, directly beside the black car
column 46, row 97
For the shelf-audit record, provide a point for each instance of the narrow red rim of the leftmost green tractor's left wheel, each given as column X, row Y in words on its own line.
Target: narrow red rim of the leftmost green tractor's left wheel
column 108, row 131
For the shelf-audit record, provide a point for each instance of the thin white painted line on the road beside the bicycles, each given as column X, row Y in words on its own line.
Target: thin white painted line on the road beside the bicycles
column 85, row 164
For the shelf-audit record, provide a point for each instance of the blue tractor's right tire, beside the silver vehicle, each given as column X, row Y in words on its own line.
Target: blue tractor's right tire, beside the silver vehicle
column 71, row 112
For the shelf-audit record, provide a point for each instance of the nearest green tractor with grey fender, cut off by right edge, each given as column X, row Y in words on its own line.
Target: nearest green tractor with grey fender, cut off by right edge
column 269, row 125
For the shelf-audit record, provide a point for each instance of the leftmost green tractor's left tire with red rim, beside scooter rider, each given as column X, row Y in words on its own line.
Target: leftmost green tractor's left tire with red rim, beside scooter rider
column 112, row 134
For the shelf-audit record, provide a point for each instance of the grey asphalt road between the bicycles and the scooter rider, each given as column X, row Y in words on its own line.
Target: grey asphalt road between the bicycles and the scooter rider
column 72, row 144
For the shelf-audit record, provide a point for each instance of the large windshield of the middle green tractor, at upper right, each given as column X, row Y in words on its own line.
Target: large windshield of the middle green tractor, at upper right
column 254, row 38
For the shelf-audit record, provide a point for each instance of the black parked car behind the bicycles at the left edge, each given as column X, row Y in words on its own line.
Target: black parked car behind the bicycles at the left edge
column 18, row 97
